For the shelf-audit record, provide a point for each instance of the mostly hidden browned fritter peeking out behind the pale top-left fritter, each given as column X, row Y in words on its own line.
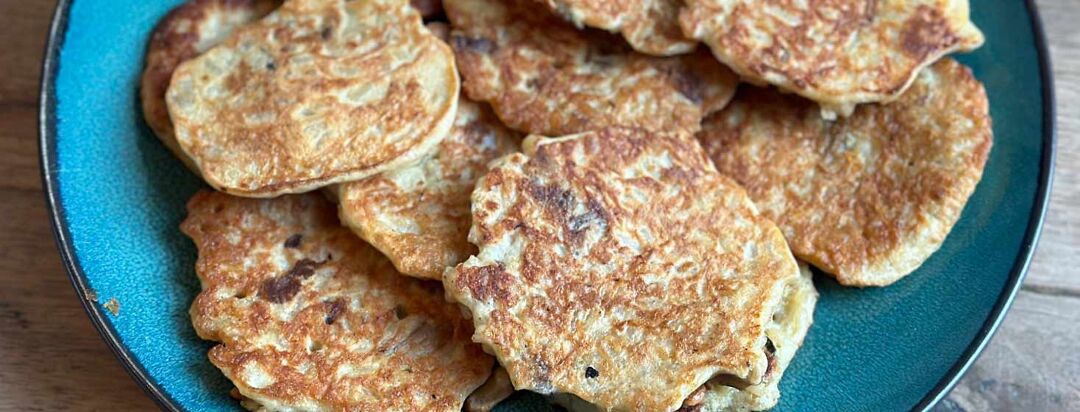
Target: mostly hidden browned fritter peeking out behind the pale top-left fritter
column 185, row 33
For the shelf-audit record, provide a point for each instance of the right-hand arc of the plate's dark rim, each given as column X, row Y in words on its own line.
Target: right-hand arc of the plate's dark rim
column 1034, row 227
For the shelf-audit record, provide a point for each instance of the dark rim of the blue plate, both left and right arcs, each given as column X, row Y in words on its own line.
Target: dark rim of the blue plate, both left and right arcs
column 47, row 130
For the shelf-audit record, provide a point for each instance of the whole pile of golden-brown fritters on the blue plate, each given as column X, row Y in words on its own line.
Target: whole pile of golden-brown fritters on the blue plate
column 636, row 252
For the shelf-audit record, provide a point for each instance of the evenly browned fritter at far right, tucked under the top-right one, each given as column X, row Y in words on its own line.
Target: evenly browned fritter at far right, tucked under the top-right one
column 868, row 198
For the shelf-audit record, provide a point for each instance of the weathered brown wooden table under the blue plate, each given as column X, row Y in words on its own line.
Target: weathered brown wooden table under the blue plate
column 52, row 360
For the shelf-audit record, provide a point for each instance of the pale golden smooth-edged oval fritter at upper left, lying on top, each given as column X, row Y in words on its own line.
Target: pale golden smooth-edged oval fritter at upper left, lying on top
column 318, row 92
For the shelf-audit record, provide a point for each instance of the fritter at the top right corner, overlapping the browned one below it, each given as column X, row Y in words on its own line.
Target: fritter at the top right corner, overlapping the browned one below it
column 836, row 52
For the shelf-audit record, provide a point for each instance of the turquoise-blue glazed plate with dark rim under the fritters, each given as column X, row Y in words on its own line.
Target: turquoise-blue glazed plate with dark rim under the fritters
column 117, row 197
